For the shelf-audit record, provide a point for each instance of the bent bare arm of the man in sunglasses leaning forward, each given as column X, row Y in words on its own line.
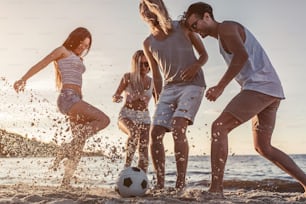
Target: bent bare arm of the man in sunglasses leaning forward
column 232, row 38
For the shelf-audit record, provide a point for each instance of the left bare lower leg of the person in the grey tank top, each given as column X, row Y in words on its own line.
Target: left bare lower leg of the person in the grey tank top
column 158, row 154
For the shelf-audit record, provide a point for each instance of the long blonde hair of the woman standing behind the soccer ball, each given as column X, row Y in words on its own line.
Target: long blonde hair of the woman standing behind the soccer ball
column 135, row 78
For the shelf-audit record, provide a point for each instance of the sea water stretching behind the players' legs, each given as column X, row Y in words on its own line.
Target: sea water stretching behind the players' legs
column 242, row 172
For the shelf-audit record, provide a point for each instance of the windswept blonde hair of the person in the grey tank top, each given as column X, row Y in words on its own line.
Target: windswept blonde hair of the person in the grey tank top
column 158, row 8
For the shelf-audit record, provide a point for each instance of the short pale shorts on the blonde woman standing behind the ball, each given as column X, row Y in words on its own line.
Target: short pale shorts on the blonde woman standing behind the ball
column 139, row 117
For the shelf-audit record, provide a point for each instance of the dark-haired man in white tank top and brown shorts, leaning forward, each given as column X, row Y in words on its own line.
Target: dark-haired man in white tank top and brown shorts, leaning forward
column 260, row 96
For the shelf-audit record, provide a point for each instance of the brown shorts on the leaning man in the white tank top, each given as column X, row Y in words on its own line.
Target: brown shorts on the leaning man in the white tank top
column 248, row 104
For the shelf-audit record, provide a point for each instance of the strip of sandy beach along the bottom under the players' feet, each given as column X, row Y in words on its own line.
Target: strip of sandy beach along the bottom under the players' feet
column 23, row 193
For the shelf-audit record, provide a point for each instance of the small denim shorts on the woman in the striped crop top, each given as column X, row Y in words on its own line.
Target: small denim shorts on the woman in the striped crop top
column 67, row 99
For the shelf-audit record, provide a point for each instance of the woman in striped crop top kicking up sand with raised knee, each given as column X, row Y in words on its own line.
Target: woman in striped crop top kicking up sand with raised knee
column 85, row 120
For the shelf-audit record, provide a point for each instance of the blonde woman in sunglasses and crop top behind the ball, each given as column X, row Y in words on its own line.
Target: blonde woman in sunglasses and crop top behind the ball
column 134, row 118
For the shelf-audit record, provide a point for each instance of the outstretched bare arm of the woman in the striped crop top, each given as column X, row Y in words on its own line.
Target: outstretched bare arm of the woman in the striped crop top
column 55, row 54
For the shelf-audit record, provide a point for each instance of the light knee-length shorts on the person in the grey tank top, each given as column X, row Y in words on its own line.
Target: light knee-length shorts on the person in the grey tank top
column 177, row 101
